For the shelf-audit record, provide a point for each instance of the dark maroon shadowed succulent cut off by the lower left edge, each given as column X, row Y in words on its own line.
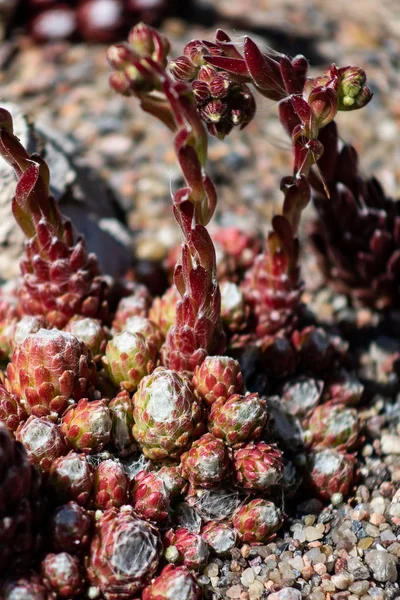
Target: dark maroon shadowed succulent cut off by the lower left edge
column 20, row 503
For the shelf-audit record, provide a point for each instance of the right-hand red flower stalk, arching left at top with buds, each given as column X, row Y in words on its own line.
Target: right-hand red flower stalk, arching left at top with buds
column 306, row 106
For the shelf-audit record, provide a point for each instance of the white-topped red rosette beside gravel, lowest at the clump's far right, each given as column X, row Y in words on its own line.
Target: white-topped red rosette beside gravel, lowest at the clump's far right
column 330, row 472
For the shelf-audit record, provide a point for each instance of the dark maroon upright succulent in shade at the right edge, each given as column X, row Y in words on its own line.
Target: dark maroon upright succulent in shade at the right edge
column 356, row 235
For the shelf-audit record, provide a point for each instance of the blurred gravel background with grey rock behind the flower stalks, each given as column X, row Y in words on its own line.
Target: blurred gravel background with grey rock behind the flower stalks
column 114, row 168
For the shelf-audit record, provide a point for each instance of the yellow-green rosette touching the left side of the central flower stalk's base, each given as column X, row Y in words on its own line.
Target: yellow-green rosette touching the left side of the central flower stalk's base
column 129, row 357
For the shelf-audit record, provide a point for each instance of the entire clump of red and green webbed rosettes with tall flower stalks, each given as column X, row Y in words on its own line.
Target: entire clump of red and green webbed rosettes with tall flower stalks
column 156, row 432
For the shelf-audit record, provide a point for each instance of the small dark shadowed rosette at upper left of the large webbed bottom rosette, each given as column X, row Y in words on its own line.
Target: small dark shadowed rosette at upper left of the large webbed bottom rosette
column 69, row 528
